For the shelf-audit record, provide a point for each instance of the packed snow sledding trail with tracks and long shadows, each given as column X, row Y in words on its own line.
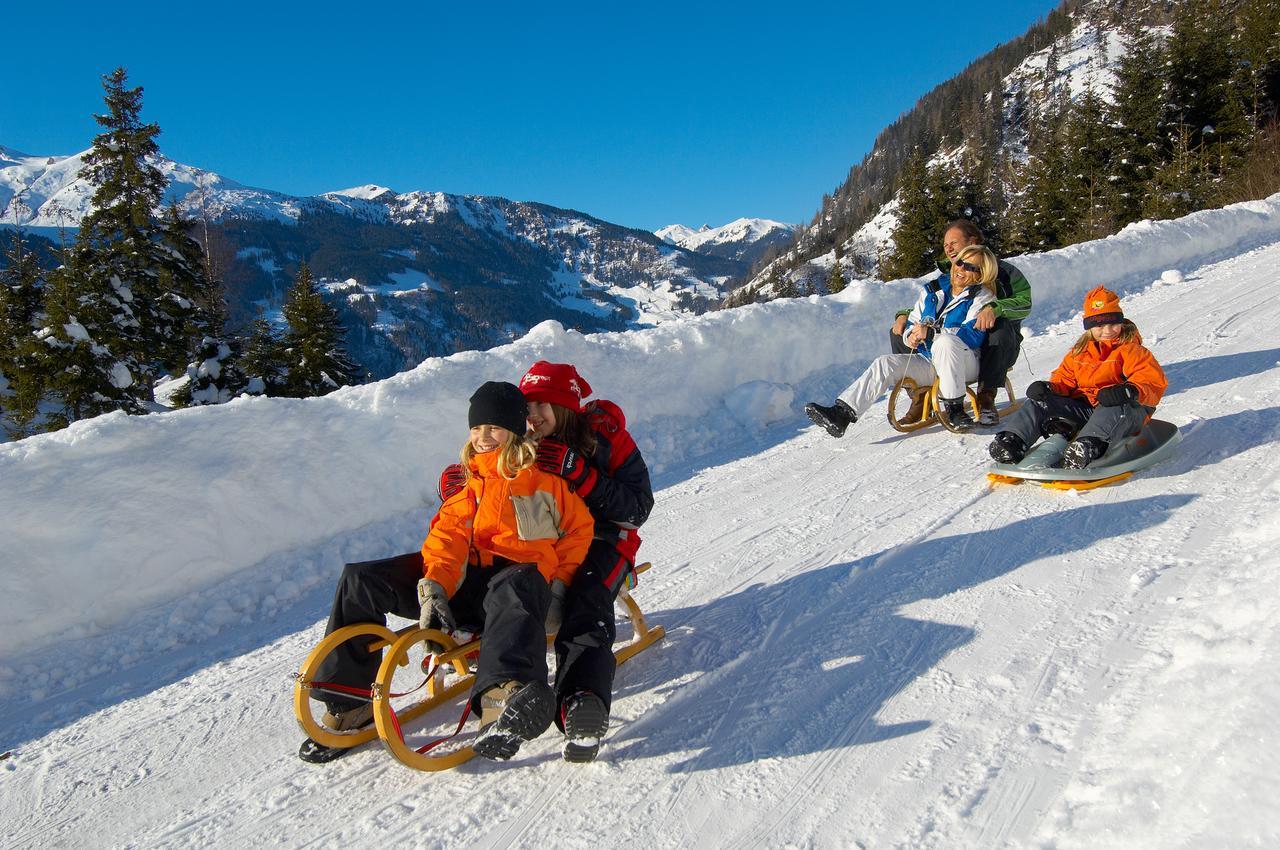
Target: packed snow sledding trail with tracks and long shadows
column 866, row 647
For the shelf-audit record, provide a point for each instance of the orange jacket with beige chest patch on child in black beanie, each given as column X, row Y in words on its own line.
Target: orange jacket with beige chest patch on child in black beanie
column 534, row 519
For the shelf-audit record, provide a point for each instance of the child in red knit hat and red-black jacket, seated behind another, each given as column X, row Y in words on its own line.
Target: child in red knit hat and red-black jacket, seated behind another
column 588, row 445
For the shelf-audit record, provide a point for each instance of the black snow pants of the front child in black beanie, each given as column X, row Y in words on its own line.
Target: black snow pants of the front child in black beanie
column 506, row 602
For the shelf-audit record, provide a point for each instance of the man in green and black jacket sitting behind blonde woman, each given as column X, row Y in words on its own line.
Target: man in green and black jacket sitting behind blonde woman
column 1003, row 321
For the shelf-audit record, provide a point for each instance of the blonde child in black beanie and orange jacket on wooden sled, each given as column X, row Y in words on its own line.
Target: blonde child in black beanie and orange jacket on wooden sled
column 525, row 529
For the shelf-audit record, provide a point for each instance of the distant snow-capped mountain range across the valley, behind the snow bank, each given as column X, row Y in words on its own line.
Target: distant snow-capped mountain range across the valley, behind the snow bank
column 417, row 275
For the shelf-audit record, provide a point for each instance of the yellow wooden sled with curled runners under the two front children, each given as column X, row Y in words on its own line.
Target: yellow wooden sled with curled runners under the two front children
column 438, row 692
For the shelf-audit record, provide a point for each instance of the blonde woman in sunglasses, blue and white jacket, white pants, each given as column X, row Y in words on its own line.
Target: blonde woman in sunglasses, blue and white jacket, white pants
column 944, row 341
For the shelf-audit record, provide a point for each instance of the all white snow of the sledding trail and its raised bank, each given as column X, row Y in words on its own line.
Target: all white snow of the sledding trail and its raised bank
column 866, row 646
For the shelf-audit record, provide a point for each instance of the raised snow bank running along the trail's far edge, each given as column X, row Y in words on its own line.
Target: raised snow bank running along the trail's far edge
column 120, row 514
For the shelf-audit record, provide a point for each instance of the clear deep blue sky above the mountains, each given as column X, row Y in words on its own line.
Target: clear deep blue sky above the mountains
column 639, row 115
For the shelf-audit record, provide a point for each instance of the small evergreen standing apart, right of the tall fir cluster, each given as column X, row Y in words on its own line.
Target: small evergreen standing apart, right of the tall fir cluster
column 314, row 355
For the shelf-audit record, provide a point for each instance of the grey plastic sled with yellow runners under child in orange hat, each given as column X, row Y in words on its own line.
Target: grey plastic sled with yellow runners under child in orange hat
column 1154, row 444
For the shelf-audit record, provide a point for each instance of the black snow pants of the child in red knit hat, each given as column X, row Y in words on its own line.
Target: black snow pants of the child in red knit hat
column 584, row 646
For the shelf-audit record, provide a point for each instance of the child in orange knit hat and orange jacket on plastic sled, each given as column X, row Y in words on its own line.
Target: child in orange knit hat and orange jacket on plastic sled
column 1105, row 390
